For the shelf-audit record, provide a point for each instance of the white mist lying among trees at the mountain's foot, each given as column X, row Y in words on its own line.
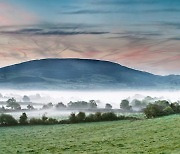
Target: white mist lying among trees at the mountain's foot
column 39, row 98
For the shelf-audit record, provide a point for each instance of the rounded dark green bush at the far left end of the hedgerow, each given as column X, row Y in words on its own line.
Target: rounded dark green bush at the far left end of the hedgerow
column 6, row 119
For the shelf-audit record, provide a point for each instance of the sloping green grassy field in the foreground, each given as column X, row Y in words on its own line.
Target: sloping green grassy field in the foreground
column 161, row 135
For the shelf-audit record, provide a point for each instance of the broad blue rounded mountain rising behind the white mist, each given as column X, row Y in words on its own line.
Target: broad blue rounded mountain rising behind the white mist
column 86, row 74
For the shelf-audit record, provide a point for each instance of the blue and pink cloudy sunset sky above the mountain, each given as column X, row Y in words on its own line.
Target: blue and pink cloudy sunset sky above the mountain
column 140, row 34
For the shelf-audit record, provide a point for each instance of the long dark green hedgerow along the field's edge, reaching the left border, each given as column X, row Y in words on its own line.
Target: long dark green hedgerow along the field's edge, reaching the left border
column 81, row 117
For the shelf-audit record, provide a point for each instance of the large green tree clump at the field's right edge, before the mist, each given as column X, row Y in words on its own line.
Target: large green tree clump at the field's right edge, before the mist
column 161, row 108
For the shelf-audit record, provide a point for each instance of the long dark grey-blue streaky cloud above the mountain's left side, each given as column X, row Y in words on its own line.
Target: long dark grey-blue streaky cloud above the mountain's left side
column 51, row 30
